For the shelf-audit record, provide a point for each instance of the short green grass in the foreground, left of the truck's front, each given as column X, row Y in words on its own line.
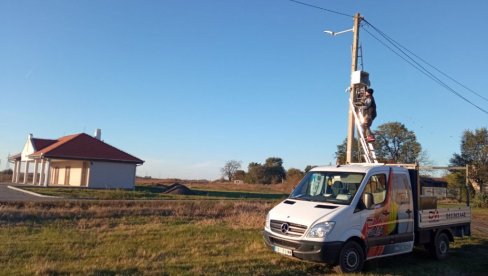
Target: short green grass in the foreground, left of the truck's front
column 160, row 246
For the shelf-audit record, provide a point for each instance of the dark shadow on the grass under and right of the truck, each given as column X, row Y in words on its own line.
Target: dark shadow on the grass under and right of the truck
column 466, row 259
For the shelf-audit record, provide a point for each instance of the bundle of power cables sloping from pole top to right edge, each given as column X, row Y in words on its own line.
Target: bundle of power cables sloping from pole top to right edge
column 416, row 65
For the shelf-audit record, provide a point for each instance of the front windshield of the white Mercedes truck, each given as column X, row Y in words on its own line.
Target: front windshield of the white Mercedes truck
column 334, row 187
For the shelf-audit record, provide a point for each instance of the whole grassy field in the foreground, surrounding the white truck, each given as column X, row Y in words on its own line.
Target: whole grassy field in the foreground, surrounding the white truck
column 181, row 238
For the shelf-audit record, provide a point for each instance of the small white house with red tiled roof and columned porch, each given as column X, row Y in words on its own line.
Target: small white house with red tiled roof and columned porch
column 78, row 160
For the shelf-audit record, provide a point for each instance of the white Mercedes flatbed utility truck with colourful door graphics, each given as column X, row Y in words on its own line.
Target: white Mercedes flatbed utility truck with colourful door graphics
column 348, row 214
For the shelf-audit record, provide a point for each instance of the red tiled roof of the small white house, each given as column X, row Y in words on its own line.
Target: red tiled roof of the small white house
column 84, row 147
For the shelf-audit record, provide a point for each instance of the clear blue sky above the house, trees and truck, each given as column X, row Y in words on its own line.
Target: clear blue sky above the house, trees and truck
column 187, row 85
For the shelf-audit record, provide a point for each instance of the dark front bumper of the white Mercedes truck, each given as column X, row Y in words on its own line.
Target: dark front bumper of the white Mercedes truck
column 324, row 252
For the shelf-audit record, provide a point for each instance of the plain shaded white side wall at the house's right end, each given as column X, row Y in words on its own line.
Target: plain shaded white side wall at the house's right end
column 112, row 175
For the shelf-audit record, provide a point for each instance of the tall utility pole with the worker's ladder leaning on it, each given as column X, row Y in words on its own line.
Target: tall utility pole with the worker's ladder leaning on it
column 354, row 67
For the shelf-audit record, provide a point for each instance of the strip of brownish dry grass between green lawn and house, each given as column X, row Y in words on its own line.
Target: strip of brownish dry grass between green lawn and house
column 250, row 213
